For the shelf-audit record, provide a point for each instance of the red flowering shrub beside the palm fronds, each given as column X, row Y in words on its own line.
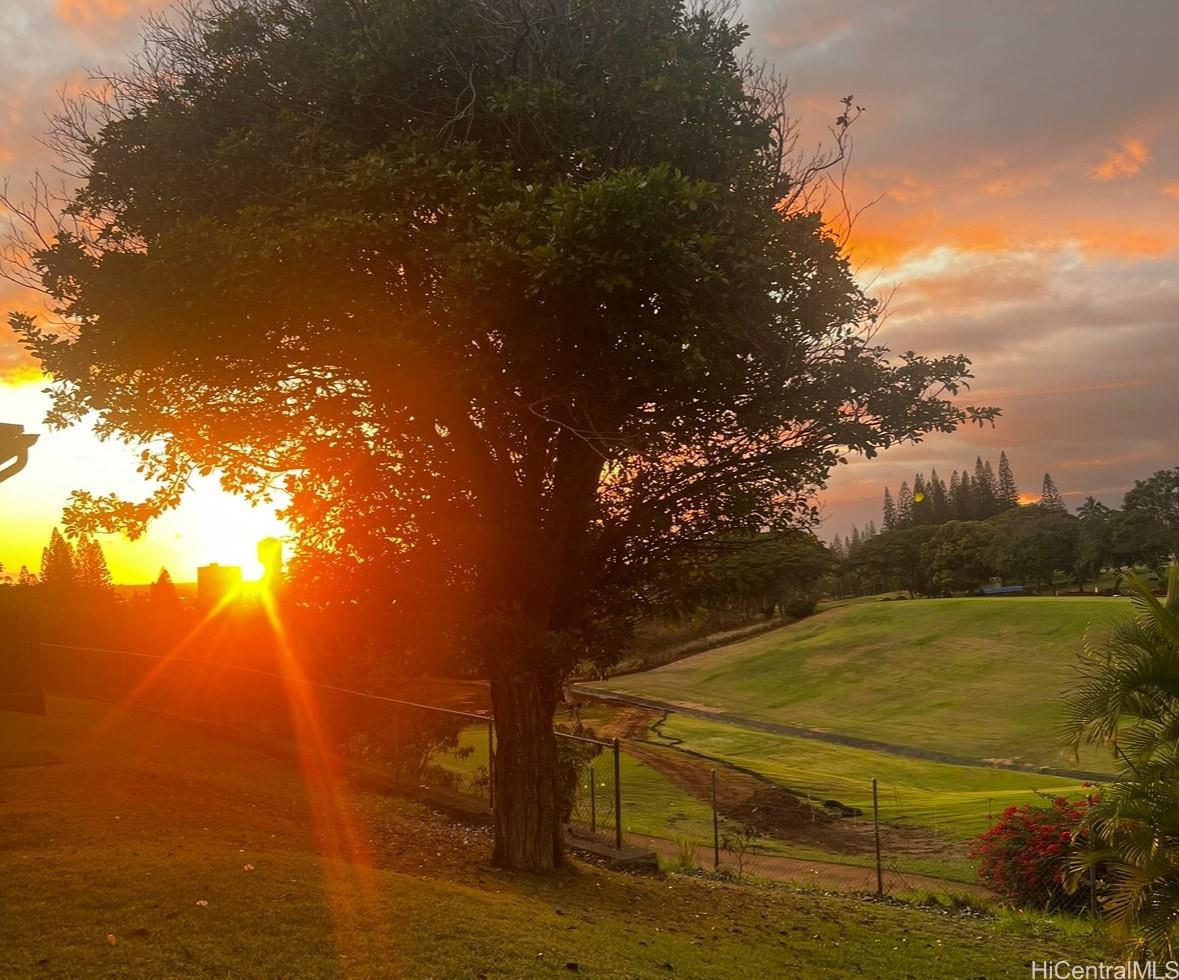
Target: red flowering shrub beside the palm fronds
column 1025, row 856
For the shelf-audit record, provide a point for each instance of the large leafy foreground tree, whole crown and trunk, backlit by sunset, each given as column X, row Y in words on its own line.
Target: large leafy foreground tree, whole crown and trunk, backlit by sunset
column 511, row 298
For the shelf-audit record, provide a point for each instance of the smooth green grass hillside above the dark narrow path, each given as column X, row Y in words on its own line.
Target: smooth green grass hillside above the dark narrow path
column 972, row 678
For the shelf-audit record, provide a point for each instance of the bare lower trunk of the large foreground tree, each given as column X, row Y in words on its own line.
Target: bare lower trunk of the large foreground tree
column 528, row 799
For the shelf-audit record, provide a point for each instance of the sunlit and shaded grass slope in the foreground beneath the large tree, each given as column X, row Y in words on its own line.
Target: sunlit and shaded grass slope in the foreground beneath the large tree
column 156, row 850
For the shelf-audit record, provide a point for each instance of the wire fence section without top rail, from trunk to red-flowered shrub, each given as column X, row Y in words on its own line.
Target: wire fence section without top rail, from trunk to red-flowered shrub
column 829, row 830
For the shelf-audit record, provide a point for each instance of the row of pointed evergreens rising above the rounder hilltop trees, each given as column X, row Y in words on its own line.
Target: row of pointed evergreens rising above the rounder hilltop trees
column 970, row 496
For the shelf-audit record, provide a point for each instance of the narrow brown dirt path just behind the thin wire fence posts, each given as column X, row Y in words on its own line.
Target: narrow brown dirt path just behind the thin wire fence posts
column 820, row 874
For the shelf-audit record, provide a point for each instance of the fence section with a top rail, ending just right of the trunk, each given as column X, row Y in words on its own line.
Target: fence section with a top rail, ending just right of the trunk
column 427, row 747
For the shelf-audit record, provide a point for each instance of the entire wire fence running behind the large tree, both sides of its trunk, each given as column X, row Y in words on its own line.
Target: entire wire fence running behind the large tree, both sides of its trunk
column 828, row 830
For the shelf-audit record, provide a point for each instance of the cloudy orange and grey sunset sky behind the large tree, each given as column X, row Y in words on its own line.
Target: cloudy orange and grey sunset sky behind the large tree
column 1024, row 161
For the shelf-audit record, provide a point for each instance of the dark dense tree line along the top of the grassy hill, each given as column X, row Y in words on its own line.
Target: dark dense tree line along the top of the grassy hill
column 1031, row 545
